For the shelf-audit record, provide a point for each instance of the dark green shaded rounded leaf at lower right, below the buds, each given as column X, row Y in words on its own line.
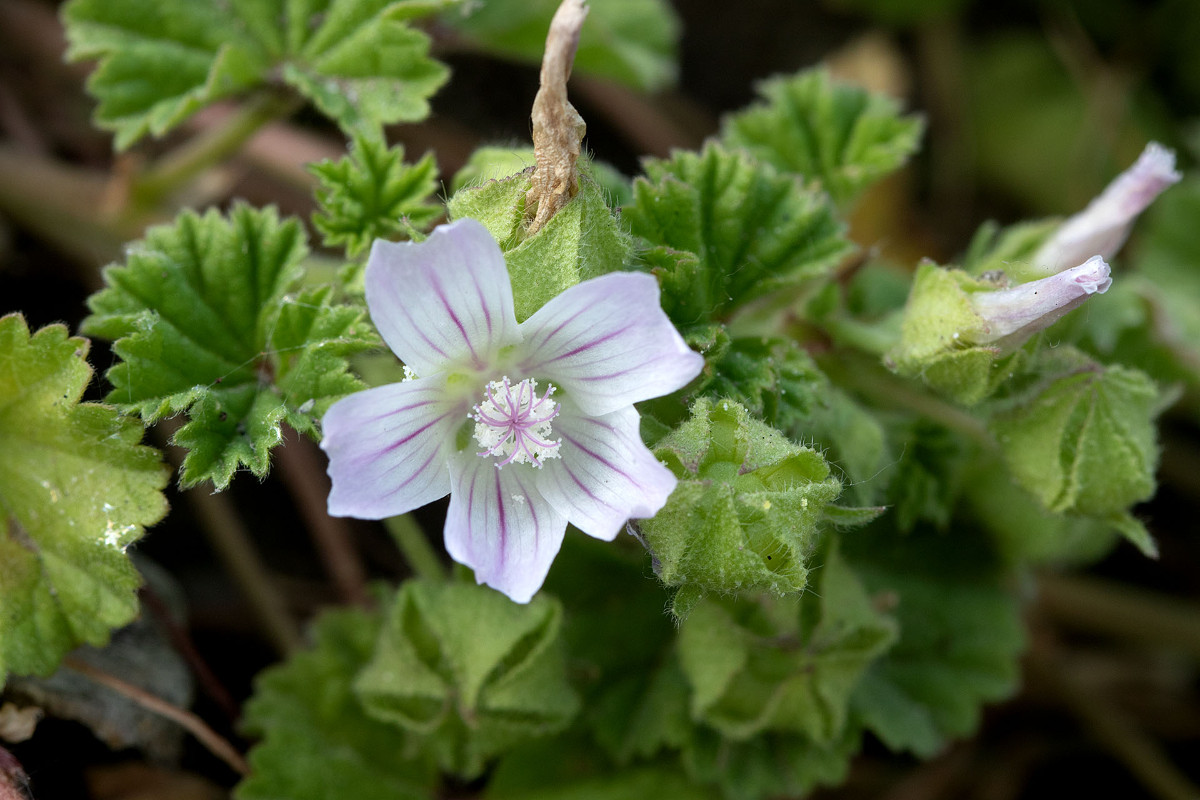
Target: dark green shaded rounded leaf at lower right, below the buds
column 961, row 636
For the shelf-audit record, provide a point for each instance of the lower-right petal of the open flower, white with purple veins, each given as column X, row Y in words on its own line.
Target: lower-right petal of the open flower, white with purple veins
column 604, row 476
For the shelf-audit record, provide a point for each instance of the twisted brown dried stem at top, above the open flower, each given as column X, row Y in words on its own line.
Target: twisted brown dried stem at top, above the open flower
column 557, row 128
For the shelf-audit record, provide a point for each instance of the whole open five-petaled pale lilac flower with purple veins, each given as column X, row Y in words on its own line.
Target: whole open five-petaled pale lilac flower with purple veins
column 527, row 426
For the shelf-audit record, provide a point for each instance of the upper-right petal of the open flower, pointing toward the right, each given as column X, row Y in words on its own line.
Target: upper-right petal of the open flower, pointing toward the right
column 609, row 344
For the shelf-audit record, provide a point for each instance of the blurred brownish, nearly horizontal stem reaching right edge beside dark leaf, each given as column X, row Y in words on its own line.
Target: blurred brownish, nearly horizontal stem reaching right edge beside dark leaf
column 1123, row 612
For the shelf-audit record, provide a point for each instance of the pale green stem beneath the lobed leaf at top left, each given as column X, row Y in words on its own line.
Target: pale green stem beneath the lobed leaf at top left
column 211, row 148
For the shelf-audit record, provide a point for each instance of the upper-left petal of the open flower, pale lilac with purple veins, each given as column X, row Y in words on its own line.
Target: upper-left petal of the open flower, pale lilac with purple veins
column 442, row 302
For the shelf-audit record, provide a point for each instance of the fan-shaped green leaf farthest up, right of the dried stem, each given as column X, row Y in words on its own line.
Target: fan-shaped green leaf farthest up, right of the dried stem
column 838, row 137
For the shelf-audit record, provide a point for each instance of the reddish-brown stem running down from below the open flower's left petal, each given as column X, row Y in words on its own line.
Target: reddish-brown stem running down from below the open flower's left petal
column 303, row 474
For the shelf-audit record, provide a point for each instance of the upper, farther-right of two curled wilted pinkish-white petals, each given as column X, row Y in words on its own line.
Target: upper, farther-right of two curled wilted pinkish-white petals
column 1102, row 227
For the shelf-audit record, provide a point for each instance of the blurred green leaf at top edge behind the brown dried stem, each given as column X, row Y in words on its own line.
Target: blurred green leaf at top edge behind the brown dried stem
column 631, row 41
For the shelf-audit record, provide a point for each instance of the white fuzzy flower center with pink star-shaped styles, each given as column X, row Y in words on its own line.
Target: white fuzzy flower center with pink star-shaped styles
column 513, row 423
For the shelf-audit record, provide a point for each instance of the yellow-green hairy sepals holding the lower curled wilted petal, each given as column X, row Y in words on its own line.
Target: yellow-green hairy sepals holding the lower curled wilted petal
column 938, row 338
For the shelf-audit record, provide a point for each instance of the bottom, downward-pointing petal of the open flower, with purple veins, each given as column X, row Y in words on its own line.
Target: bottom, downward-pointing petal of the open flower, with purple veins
column 501, row 527
